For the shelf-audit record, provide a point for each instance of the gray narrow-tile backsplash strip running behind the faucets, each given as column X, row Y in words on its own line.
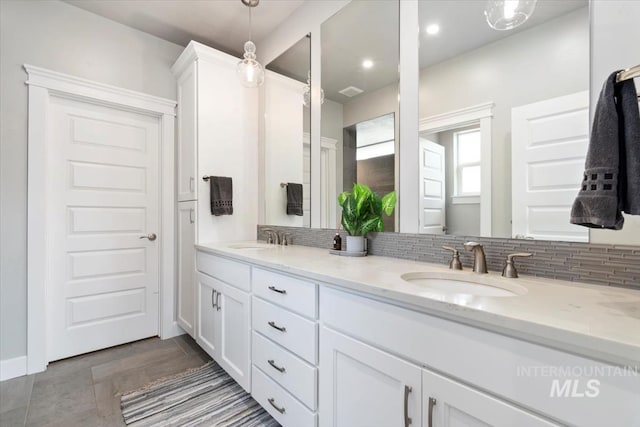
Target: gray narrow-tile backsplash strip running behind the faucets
column 590, row 263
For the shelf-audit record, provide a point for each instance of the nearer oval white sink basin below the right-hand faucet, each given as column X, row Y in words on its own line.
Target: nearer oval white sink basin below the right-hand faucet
column 465, row 284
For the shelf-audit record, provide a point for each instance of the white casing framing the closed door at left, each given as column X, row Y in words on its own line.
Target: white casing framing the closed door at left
column 43, row 85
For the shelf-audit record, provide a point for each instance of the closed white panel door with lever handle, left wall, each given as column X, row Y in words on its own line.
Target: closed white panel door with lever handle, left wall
column 105, row 197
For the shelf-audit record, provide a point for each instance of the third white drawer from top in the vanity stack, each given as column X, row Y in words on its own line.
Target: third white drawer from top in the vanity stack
column 291, row 372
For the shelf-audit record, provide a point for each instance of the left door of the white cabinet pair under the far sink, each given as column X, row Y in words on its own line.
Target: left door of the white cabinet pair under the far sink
column 206, row 328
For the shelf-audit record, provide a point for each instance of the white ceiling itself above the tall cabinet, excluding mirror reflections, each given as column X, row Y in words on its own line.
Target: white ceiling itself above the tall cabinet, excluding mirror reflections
column 222, row 24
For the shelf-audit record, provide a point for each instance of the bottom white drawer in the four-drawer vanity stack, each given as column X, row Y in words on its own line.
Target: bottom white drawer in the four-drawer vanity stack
column 280, row 404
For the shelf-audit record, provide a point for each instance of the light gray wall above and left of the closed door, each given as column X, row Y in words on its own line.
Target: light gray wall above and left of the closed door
column 61, row 37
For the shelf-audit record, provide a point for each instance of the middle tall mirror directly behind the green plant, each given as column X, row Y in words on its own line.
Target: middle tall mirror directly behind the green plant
column 359, row 132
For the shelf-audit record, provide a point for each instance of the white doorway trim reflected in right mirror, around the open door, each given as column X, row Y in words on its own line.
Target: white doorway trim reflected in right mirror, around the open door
column 482, row 115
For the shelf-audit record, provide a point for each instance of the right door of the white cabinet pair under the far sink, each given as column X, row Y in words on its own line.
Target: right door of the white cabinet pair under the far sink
column 234, row 333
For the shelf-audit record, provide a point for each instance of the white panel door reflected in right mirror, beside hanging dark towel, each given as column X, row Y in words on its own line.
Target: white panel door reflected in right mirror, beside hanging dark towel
column 548, row 151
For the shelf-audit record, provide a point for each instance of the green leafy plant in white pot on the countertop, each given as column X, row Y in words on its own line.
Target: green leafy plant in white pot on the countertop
column 362, row 211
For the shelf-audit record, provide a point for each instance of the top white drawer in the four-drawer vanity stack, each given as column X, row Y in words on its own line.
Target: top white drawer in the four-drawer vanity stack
column 290, row 292
